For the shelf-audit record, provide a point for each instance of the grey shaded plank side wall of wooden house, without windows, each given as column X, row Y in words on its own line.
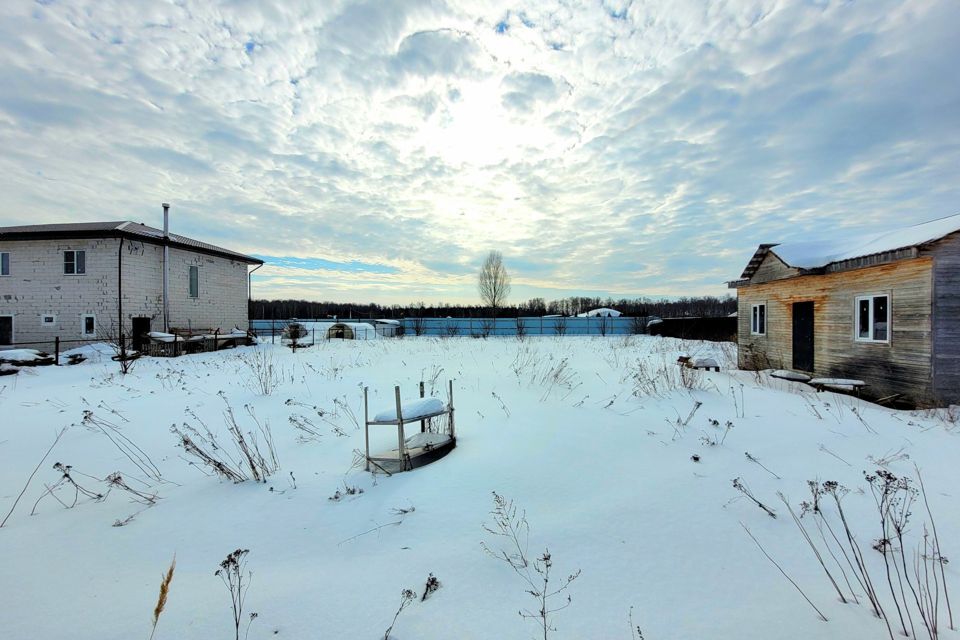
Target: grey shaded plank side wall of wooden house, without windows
column 946, row 319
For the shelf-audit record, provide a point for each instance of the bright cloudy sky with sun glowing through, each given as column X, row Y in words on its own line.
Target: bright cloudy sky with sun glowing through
column 376, row 151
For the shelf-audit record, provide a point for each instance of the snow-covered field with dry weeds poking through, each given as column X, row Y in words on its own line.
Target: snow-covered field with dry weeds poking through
column 593, row 438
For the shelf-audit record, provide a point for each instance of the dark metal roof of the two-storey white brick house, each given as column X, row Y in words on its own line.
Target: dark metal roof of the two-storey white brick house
column 120, row 228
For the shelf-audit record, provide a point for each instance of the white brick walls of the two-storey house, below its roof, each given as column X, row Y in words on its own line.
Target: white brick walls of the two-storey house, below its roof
column 37, row 286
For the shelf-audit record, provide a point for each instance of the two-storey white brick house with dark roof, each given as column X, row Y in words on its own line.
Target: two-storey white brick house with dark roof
column 86, row 281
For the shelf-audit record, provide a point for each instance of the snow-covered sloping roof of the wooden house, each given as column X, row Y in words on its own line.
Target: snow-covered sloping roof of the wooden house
column 819, row 254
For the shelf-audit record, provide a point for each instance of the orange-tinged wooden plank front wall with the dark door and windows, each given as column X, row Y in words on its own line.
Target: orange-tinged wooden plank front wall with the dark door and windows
column 901, row 366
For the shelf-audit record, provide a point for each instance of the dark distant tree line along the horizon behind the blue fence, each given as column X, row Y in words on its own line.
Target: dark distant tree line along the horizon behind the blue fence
column 687, row 307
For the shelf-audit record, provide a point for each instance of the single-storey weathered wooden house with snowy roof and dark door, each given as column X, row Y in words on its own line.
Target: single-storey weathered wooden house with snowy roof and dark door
column 884, row 309
